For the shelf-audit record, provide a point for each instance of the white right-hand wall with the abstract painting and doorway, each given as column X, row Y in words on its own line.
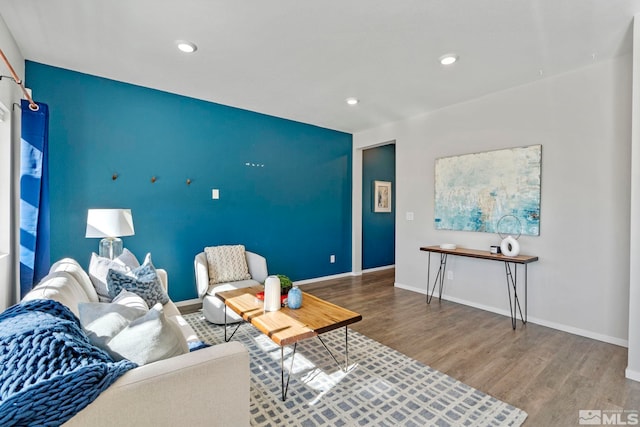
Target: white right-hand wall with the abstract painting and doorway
column 583, row 121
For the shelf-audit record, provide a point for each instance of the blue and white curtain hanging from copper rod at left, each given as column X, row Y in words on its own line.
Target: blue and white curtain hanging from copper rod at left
column 34, row 196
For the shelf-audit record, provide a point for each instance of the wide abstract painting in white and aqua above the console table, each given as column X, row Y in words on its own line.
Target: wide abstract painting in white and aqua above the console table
column 473, row 191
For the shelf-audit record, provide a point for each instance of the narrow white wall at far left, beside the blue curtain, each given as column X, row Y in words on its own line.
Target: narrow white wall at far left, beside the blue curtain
column 9, row 138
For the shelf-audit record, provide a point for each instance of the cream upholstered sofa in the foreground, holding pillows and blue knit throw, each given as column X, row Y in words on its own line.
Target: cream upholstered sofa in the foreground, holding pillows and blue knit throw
column 209, row 386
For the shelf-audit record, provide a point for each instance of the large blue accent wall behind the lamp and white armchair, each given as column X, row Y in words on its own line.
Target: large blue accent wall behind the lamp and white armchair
column 285, row 186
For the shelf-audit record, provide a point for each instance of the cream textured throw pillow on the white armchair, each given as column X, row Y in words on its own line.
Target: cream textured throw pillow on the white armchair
column 226, row 264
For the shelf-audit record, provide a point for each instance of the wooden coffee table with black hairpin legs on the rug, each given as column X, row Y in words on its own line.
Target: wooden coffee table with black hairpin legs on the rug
column 287, row 326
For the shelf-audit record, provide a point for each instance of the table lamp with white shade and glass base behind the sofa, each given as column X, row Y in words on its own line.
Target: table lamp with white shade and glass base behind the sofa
column 111, row 224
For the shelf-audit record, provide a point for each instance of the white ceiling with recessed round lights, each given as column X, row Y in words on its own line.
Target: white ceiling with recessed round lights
column 301, row 59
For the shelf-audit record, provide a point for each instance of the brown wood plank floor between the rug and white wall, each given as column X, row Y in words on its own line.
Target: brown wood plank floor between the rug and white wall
column 549, row 374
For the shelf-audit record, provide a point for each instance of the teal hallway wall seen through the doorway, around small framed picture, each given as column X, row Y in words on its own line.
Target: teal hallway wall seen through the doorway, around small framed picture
column 378, row 229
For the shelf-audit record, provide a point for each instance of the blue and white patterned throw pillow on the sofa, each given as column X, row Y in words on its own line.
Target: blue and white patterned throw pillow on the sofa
column 143, row 281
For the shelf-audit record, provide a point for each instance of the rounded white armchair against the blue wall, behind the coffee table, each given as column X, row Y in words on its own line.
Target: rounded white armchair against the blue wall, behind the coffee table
column 212, row 306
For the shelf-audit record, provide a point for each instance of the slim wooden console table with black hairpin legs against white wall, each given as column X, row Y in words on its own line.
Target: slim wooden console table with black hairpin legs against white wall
column 512, row 274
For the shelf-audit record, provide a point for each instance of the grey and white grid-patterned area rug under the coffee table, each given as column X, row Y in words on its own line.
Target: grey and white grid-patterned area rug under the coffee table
column 381, row 387
